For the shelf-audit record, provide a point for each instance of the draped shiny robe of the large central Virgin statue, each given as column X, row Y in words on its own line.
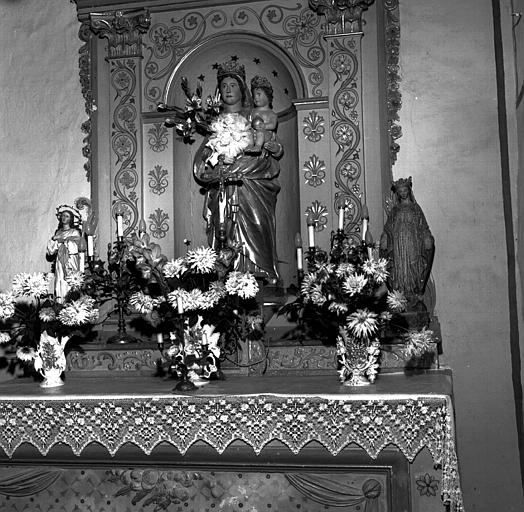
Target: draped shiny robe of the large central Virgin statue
column 256, row 196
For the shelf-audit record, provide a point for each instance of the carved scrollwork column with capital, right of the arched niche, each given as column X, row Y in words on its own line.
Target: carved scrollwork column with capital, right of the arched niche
column 343, row 30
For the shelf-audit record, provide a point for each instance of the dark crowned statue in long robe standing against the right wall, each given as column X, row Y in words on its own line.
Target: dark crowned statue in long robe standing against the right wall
column 408, row 244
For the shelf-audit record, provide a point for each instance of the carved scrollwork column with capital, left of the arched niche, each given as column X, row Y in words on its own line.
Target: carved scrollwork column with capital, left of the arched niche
column 123, row 31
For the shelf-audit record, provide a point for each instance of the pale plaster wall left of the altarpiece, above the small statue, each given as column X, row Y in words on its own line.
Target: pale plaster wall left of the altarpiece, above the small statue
column 41, row 107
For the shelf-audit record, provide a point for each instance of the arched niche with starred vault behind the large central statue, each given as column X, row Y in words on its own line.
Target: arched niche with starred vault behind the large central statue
column 260, row 57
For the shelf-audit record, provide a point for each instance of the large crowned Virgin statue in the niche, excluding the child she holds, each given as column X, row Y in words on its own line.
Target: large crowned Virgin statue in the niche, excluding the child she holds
column 241, row 187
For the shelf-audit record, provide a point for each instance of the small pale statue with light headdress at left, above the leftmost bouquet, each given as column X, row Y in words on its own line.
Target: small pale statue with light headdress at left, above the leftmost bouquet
column 63, row 247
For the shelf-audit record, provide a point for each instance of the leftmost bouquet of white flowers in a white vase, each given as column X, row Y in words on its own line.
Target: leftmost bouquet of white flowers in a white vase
column 37, row 325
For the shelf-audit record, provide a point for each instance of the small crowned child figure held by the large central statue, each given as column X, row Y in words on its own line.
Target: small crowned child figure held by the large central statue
column 264, row 120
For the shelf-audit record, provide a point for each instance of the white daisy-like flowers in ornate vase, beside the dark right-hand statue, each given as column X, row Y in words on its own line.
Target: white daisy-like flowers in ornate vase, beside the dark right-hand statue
column 348, row 302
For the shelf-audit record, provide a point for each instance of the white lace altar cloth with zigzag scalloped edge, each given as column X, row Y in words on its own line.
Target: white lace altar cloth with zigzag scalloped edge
column 410, row 422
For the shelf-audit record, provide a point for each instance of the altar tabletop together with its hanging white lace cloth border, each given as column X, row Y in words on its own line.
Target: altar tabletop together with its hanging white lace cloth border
column 410, row 413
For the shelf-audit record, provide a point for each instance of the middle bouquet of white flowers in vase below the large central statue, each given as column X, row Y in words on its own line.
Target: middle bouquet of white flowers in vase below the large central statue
column 201, row 306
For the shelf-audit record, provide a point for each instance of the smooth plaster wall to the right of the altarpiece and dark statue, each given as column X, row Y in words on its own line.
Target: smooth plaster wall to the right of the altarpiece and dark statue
column 451, row 148
